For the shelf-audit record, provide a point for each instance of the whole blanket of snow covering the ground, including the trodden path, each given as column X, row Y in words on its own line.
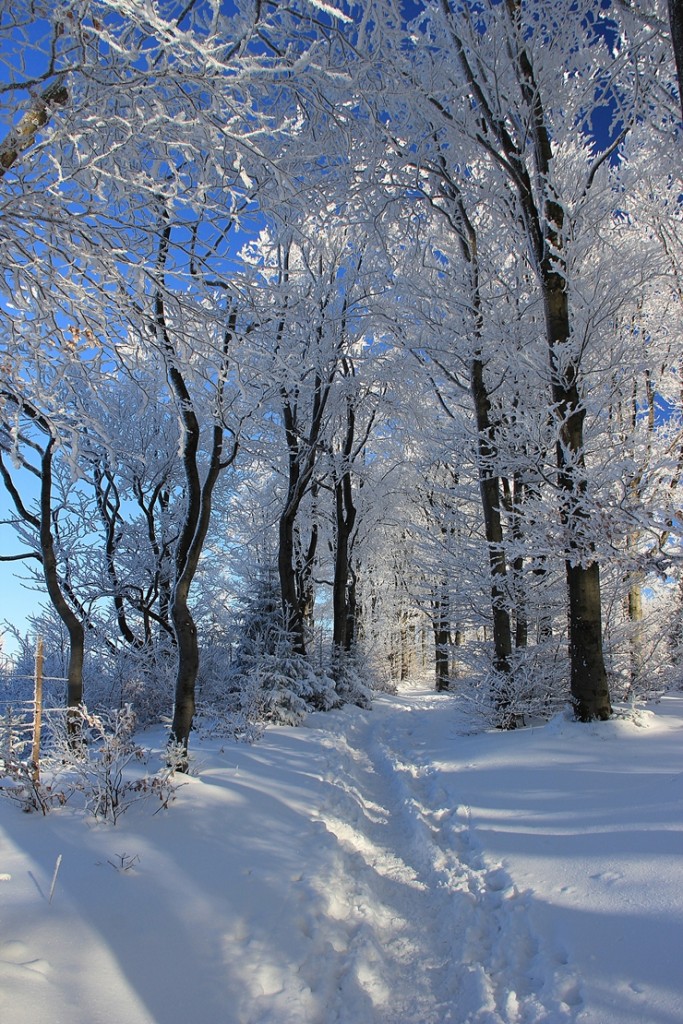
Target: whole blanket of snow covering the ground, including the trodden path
column 378, row 867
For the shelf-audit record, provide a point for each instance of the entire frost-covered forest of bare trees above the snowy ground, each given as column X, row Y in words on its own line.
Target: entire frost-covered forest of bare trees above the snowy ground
column 340, row 343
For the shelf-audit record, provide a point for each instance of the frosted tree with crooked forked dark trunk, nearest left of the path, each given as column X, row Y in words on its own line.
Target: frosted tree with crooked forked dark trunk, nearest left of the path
column 167, row 144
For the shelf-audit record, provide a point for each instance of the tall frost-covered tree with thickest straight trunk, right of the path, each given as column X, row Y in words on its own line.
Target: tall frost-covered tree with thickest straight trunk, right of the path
column 497, row 107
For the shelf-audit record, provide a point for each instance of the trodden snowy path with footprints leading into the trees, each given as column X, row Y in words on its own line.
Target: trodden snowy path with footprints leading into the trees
column 418, row 929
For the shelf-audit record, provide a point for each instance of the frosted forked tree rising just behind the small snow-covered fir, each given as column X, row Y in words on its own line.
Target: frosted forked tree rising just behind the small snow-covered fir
column 306, row 339
